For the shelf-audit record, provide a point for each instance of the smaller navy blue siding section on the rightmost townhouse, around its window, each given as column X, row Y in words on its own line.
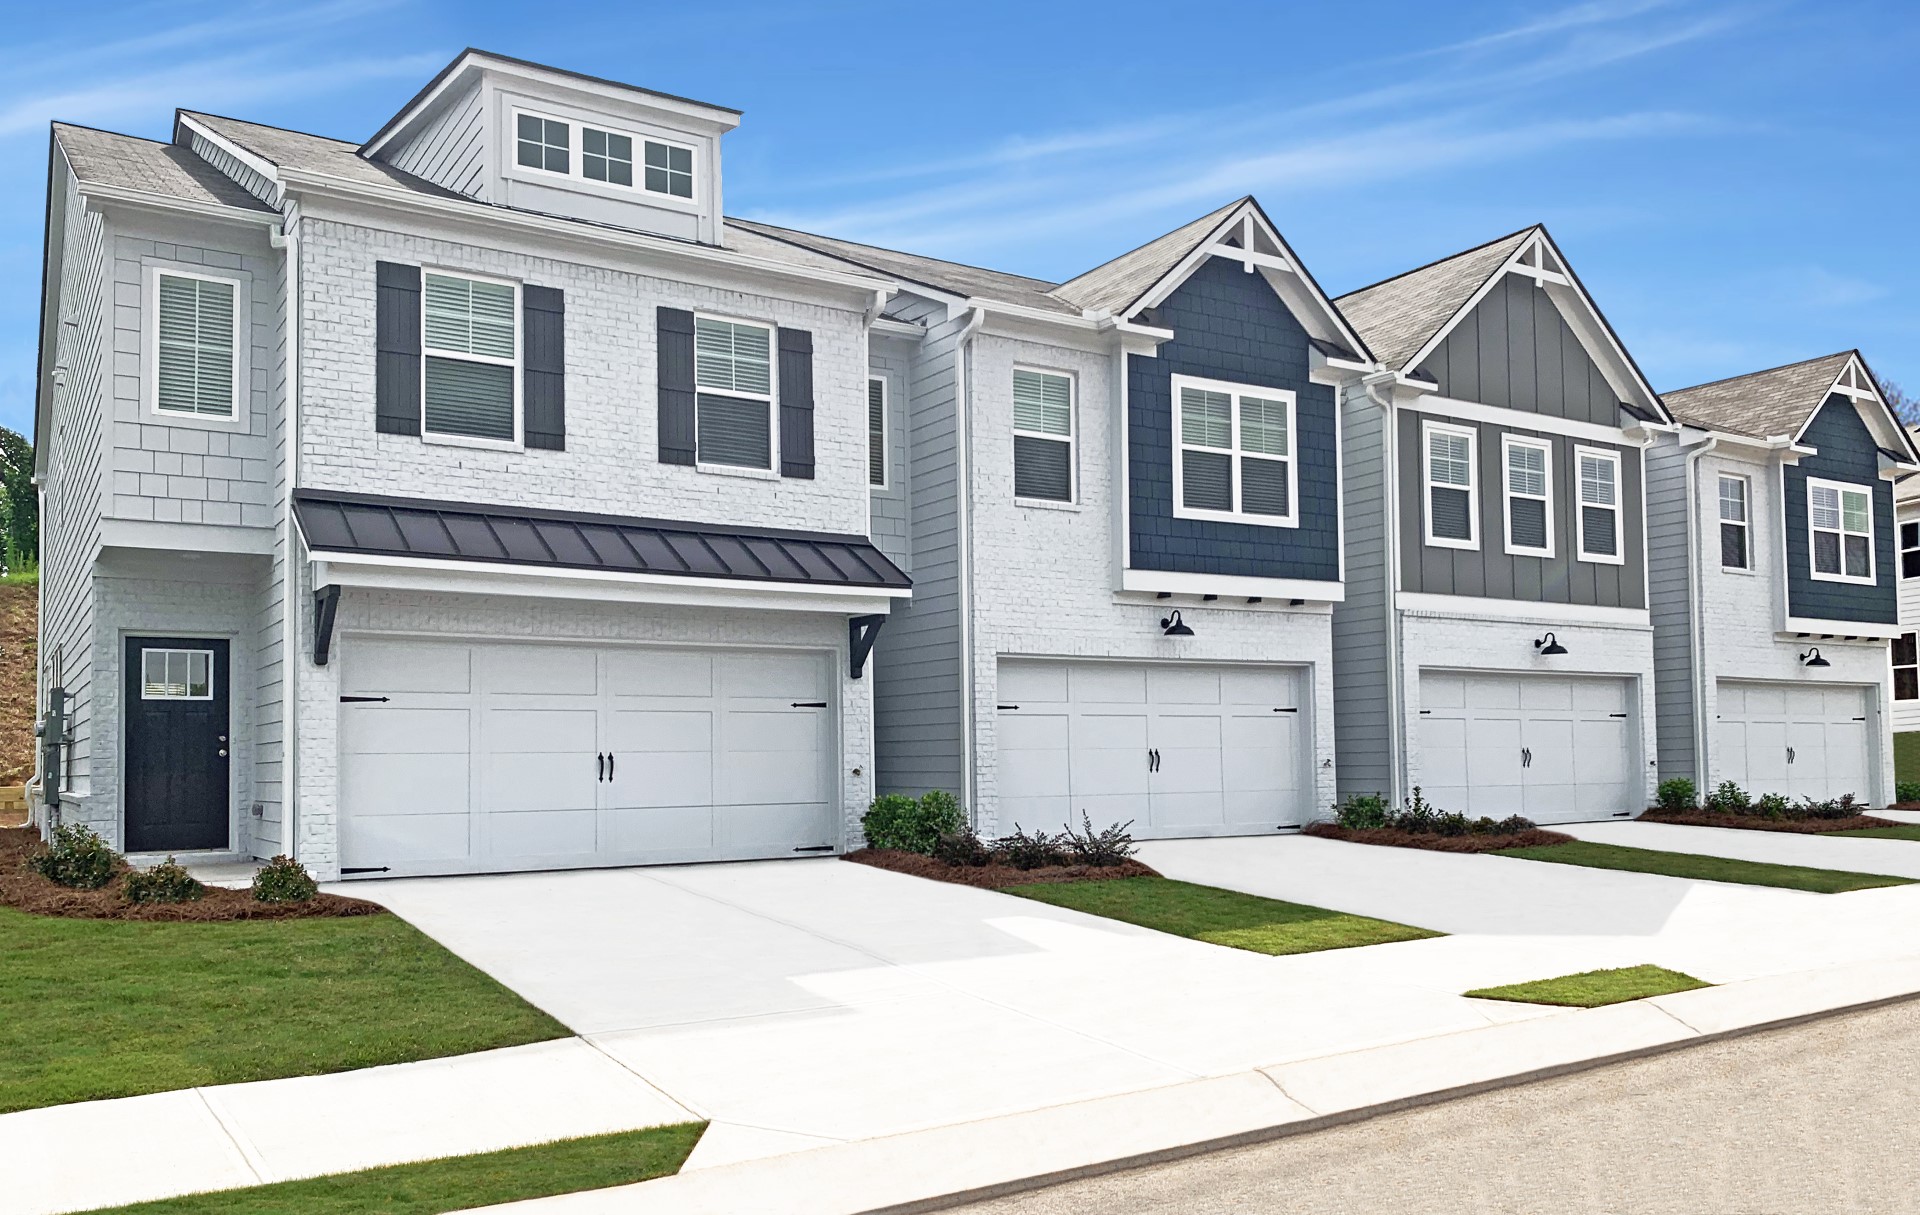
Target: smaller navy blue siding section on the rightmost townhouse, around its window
column 1848, row 454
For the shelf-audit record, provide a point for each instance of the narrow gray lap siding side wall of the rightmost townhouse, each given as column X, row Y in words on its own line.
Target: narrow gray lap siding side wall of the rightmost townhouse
column 1669, row 558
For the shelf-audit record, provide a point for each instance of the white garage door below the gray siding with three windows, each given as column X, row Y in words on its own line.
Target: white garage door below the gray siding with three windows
column 1547, row 748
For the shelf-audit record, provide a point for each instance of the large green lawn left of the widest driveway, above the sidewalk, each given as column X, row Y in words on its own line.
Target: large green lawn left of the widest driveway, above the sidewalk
column 97, row 1009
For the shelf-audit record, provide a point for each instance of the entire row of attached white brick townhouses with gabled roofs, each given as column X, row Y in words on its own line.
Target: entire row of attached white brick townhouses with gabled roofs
column 481, row 498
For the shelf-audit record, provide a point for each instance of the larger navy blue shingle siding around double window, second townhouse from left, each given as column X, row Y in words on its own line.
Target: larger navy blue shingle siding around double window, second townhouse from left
column 1230, row 325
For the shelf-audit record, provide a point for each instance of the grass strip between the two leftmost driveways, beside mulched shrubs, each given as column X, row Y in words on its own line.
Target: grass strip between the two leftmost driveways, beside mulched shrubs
column 1216, row 917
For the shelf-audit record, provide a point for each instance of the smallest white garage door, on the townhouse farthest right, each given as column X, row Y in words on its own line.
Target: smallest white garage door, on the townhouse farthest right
column 1800, row 740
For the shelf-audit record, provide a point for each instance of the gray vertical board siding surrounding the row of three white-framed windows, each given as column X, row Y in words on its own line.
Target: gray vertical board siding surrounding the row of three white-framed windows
column 1491, row 571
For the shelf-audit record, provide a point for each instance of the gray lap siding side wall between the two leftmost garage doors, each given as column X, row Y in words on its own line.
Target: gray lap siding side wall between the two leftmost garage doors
column 919, row 686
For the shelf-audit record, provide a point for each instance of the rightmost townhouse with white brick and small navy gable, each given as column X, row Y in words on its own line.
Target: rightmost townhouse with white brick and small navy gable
column 1775, row 581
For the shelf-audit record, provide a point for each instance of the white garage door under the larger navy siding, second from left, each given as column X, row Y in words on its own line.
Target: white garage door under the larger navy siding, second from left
column 1178, row 750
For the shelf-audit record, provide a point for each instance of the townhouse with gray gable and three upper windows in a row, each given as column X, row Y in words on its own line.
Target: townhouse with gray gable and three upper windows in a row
column 1495, row 648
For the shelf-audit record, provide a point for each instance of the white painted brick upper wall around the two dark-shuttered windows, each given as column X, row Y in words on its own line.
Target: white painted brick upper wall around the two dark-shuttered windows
column 612, row 462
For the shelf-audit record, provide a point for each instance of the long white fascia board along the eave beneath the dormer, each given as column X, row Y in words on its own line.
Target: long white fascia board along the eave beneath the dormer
column 414, row 204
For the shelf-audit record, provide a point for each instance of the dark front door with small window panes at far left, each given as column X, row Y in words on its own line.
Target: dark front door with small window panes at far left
column 178, row 746
